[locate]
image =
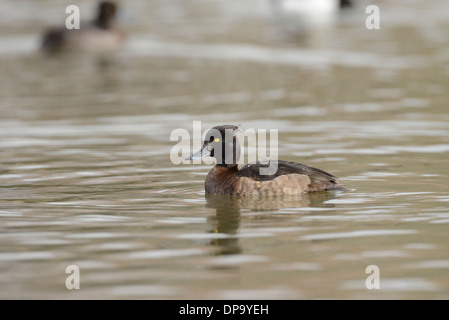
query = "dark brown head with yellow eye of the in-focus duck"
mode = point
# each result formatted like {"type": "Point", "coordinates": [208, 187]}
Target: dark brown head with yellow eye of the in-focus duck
{"type": "Point", "coordinates": [221, 143]}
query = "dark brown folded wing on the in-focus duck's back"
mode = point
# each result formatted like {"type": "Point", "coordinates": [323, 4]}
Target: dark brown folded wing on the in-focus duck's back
{"type": "Point", "coordinates": [280, 167]}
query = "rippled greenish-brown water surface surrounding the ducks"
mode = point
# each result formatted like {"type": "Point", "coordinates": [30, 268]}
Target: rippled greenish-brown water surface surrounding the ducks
{"type": "Point", "coordinates": [86, 177]}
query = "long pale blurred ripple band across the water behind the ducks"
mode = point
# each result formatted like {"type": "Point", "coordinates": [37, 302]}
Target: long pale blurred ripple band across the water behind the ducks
{"type": "Point", "coordinates": [301, 57]}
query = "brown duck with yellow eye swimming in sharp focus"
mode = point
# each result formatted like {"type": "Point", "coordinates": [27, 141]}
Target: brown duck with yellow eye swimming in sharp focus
{"type": "Point", "coordinates": [280, 178]}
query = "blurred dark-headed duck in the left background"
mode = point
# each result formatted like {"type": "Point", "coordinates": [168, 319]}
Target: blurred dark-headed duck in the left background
{"type": "Point", "coordinates": [100, 35]}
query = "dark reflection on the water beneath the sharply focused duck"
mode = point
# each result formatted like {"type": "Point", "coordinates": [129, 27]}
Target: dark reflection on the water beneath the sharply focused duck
{"type": "Point", "coordinates": [227, 219]}
